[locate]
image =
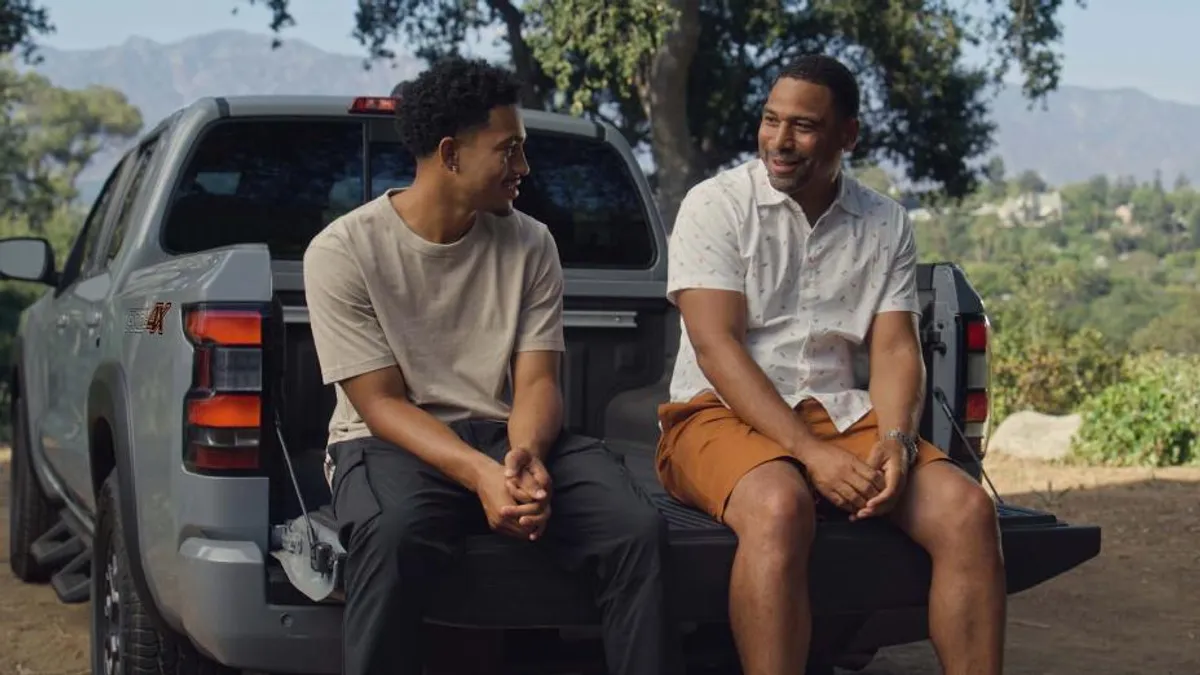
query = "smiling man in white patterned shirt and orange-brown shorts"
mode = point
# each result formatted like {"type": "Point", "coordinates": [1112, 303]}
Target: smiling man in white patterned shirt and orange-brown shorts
{"type": "Point", "coordinates": [782, 268]}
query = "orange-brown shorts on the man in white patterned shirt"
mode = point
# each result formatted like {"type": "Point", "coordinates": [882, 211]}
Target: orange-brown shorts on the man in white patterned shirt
{"type": "Point", "coordinates": [705, 449]}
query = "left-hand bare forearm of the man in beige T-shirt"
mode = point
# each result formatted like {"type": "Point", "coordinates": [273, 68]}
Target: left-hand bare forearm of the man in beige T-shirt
{"type": "Point", "coordinates": [428, 438]}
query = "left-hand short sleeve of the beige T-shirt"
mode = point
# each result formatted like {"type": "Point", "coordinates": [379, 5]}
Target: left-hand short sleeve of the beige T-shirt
{"type": "Point", "coordinates": [346, 332]}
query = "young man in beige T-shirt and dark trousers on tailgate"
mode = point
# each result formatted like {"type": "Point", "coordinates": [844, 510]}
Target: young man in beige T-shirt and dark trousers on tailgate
{"type": "Point", "coordinates": [423, 302]}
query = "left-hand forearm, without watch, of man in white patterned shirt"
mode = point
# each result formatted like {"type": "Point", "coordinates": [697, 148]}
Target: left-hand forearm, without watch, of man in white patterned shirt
{"type": "Point", "coordinates": [751, 395]}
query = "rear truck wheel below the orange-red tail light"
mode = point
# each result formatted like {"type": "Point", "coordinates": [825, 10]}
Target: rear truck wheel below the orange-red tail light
{"type": "Point", "coordinates": [125, 640]}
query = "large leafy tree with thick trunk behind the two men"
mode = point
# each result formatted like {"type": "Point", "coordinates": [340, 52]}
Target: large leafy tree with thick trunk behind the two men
{"type": "Point", "coordinates": [688, 77]}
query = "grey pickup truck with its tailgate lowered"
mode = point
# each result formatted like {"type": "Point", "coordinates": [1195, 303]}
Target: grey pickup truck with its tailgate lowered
{"type": "Point", "coordinates": [170, 417]}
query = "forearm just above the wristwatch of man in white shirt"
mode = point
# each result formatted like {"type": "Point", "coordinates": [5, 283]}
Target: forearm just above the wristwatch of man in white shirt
{"type": "Point", "coordinates": [898, 390]}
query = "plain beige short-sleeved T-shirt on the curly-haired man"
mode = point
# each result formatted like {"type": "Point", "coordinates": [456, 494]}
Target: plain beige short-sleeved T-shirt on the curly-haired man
{"type": "Point", "coordinates": [452, 316]}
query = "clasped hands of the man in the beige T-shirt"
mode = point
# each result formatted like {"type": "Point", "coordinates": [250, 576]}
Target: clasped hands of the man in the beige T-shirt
{"type": "Point", "coordinates": [517, 495]}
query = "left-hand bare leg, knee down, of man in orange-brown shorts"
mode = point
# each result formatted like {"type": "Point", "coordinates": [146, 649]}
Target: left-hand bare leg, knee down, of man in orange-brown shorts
{"type": "Point", "coordinates": [773, 516]}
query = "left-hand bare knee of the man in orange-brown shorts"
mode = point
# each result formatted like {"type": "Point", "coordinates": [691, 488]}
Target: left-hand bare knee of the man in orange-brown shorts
{"type": "Point", "coordinates": [775, 506]}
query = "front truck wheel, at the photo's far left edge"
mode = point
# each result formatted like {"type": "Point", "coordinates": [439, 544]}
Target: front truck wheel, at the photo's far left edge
{"type": "Point", "coordinates": [31, 513]}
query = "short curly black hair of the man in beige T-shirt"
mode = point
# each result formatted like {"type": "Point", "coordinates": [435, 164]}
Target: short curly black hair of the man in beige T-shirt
{"type": "Point", "coordinates": [453, 97]}
